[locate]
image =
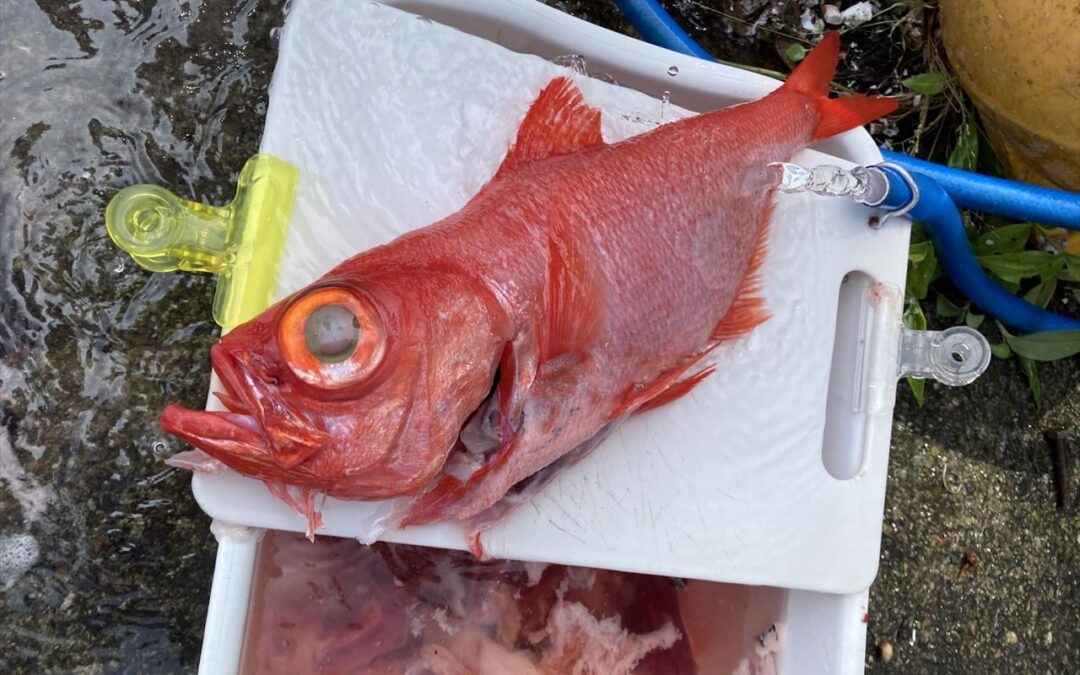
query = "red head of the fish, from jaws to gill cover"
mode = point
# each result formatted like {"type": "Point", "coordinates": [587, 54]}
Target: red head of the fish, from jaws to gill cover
{"type": "Point", "coordinates": [358, 386]}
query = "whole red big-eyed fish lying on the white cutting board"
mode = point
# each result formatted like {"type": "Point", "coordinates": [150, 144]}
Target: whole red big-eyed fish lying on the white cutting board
{"type": "Point", "coordinates": [468, 362]}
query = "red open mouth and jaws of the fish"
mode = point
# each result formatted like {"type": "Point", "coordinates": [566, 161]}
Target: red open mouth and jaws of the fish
{"type": "Point", "coordinates": [261, 431]}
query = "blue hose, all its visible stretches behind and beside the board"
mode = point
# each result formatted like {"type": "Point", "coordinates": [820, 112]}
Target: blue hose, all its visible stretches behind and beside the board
{"type": "Point", "coordinates": [937, 210]}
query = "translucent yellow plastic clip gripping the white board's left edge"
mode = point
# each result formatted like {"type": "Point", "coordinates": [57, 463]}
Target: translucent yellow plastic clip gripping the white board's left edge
{"type": "Point", "coordinates": [241, 242]}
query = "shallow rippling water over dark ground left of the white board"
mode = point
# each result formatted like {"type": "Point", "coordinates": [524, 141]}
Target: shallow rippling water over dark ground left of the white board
{"type": "Point", "coordinates": [96, 97]}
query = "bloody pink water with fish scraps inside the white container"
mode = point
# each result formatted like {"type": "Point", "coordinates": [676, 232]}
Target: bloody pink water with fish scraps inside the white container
{"type": "Point", "coordinates": [336, 606]}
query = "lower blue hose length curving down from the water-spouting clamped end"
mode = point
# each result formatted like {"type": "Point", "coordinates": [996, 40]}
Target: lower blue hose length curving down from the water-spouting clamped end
{"type": "Point", "coordinates": [938, 213]}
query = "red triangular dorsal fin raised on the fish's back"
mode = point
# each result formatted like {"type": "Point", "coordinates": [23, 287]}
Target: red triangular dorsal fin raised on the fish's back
{"type": "Point", "coordinates": [558, 123]}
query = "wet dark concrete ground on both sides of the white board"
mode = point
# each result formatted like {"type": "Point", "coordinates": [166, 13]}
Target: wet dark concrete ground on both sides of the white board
{"type": "Point", "coordinates": [99, 96]}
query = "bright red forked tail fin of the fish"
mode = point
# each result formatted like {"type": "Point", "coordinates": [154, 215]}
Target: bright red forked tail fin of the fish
{"type": "Point", "coordinates": [813, 77]}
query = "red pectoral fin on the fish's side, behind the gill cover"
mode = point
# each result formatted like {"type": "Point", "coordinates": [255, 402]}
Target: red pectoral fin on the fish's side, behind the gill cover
{"type": "Point", "coordinates": [574, 304]}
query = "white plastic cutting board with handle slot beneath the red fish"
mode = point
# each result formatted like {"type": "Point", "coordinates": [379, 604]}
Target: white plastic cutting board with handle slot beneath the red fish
{"type": "Point", "coordinates": [396, 121]}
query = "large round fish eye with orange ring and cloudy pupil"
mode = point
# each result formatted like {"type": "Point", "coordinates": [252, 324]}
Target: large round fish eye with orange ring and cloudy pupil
{"type": "Point", "coordinates": [332, 339]}
